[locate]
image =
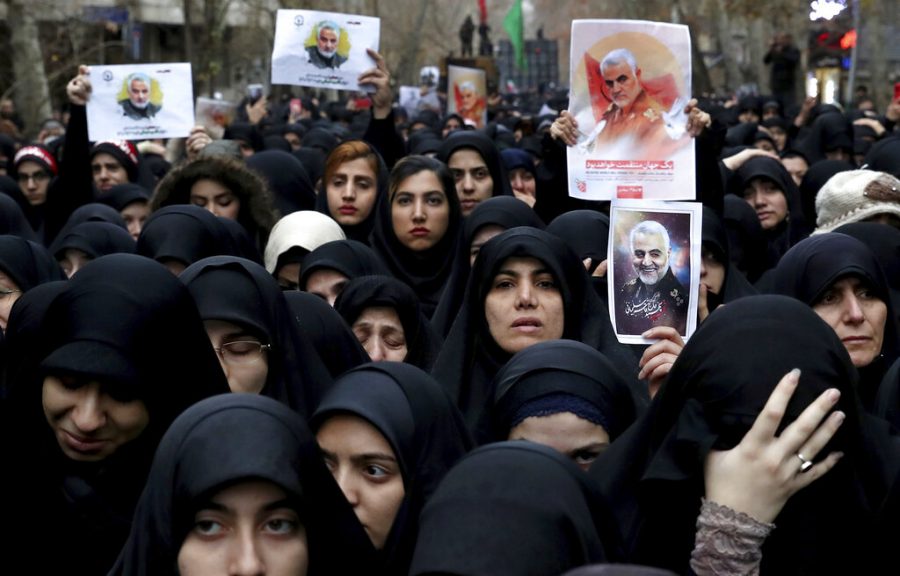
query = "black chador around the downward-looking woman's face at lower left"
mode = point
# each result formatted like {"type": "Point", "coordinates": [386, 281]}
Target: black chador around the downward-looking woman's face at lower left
{"type": "Point", "coordinates": [127, 323]}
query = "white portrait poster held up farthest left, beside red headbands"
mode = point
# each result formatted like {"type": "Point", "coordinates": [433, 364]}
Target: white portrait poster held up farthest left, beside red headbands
{"type": "Point", "coordinates": [140, 102]}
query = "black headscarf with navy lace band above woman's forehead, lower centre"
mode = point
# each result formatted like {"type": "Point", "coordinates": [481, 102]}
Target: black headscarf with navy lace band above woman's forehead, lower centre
{"type": "Point", "coordinates": [557, 367]}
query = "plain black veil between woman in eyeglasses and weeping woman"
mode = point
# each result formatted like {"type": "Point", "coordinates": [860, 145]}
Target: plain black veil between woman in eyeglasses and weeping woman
{"type": "Point", "coordinates": [326, 329]}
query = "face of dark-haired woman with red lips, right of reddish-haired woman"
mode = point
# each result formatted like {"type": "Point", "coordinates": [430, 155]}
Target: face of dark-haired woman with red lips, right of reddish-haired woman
{"type": "Point", "coordinates": [420, 213]}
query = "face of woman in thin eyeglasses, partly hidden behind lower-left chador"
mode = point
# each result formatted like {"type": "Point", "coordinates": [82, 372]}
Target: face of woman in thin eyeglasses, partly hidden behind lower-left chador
{"type": "Point", "coordinates": [241, 355]}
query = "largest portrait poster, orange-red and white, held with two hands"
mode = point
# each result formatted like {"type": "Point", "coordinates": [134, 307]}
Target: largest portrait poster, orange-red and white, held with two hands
{"type": "Point", "coordinates": [630, 81]}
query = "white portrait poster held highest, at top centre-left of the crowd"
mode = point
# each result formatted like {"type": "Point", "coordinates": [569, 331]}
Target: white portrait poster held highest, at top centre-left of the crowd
{"type": "Point", "coordinates": [323, 49]}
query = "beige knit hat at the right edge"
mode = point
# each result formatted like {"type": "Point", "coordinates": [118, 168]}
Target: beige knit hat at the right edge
{"type": "Point", "coordinates": [855, 196]}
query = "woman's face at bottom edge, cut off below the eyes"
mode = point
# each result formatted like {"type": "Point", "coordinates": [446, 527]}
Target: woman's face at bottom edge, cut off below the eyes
{"type": "Point", "coordinates": [246, 528]}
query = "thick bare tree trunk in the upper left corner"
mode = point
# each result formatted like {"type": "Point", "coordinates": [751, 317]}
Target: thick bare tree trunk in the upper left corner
{"type": "Point", "coordinates": [31, 95]}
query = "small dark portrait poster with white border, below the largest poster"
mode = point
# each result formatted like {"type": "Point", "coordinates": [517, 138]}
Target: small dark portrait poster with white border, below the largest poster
{"type": "Point", "coordinates": [654, 267]}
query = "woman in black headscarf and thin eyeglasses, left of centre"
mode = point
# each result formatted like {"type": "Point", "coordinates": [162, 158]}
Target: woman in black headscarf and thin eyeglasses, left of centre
{"type": "Point", "coordinates": [249, 324]}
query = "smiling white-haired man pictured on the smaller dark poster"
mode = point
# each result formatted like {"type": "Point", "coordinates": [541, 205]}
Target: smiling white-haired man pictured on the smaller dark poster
{"type": "Point", "coordinates": [655, 297]}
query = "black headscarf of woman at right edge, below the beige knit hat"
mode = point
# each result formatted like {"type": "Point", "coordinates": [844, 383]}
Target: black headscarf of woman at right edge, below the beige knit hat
{"type": "Point", "coordinates": [814, 265]}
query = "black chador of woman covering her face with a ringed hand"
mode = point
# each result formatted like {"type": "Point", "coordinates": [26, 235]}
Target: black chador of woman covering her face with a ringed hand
{"type": "Point", "coordinates": [717, 387]}
